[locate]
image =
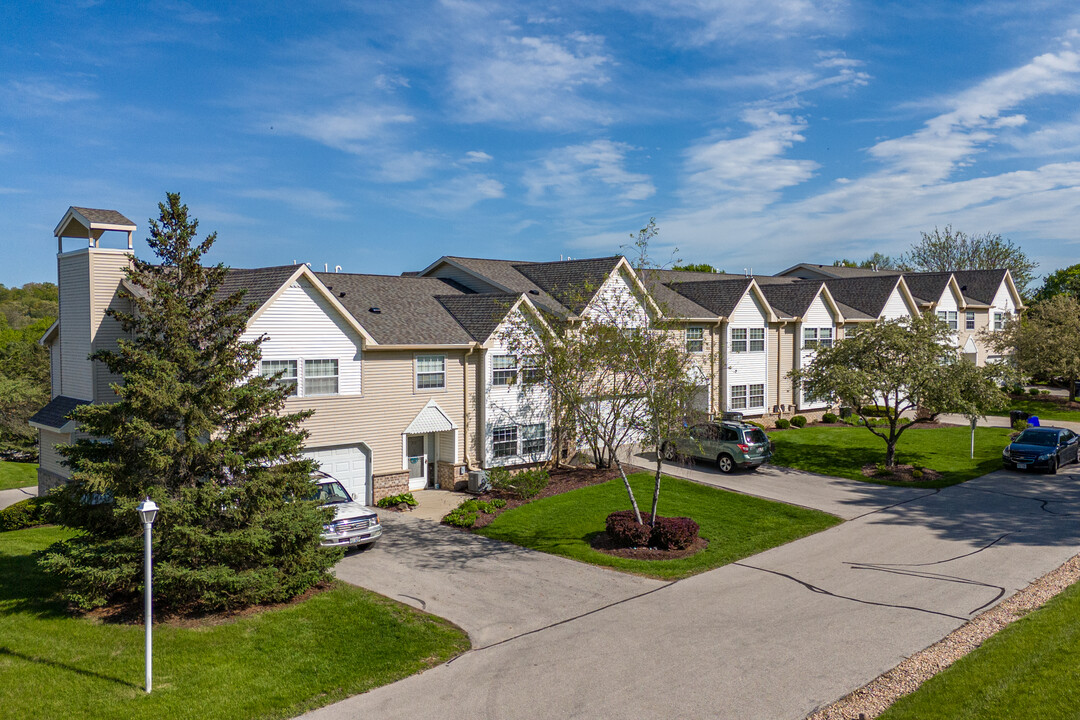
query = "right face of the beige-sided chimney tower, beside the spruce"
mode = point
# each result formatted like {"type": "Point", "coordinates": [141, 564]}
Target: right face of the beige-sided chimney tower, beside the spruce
{"type": "Point", "coordinates": [106, 273]}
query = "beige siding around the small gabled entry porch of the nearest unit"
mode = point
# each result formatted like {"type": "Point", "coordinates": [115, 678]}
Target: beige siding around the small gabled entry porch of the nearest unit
{"type": "Point", "coordinates": [388, 405]}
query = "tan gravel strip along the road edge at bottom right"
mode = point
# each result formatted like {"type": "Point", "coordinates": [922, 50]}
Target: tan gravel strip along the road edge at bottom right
{"type": "Point", "coordinates": [875, 698]}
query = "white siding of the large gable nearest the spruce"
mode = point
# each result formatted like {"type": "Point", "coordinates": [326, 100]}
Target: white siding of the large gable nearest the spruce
{"type": "Point", "coordinates": [302, 325]}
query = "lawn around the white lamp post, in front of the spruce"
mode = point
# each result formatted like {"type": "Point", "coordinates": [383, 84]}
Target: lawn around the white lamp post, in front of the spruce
{"type": "Point", "coordinates": [275, 664]}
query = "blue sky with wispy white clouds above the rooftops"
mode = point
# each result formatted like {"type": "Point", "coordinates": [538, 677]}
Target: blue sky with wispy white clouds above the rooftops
{"type": "Point", "coordinates": [382, 135]}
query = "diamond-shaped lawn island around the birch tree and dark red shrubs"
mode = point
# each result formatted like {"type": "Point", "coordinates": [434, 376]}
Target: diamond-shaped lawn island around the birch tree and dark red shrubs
{"type": "Point", "coordinates": [736, 526]}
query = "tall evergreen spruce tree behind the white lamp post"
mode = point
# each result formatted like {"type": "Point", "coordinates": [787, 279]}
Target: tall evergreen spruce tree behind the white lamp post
{"type": "Point", "coordinates": [204, 434]}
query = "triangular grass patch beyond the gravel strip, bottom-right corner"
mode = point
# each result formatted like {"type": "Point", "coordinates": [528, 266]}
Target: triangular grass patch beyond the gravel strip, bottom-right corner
{"type": "Point", "coordinates": [1030, 670]}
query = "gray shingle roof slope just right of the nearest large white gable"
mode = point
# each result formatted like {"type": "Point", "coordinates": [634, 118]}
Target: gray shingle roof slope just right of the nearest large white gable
{"type": "Point", "coordinates": [411, 311]}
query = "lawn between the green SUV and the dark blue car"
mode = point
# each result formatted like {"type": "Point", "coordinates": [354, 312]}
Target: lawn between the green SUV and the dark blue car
{"type": "Point", "coordinates": [843, 452]}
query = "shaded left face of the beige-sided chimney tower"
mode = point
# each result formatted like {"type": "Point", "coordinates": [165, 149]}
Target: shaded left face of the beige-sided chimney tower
{"type": "Point", "coordinates": [74, 278]}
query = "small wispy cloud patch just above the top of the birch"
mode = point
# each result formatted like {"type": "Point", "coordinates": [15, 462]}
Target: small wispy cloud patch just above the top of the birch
{"type": "Point", "coordinates": [593, 172]}
